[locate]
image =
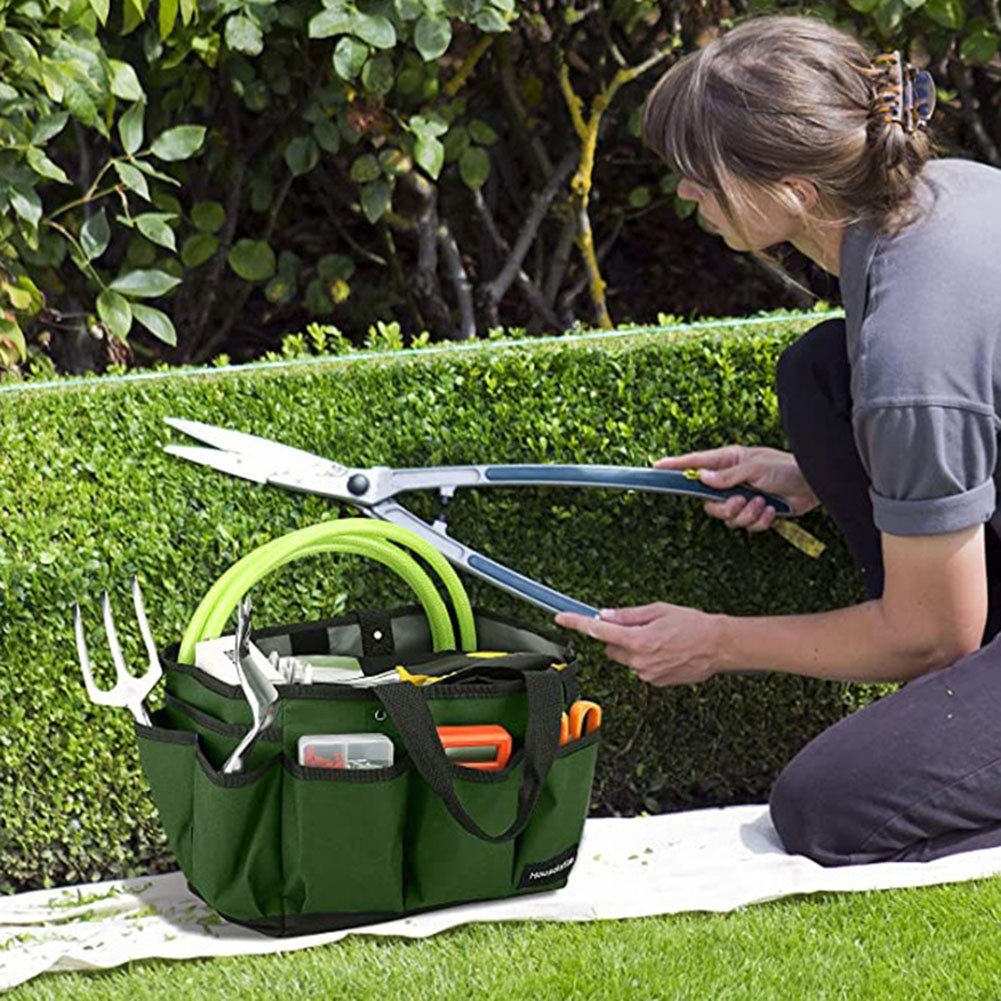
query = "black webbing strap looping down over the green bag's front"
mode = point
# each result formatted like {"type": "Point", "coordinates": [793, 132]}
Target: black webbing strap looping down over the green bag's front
{"type": "Point", "coordinates": [408, 708]}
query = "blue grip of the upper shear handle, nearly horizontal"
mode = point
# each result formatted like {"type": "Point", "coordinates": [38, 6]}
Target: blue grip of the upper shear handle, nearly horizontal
{"type": "Point", "coordinates": [667, 481]}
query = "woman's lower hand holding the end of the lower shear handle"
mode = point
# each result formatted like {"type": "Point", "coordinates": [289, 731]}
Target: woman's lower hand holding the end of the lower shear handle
{"type": "Point", "coordinates": [663, 644]}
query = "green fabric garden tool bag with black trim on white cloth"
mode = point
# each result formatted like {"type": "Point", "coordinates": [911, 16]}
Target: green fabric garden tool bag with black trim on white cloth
{"type": "Point", "coordinates": [289, 849]}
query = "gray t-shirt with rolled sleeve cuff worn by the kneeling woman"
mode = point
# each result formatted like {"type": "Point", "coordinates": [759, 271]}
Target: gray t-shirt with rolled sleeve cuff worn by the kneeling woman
{"type": "Point", "coordinates": [923, 319]}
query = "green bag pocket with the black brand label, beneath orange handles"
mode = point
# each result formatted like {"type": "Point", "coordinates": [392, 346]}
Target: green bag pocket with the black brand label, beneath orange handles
{"type": "Point", "coordinates": [547, 848]}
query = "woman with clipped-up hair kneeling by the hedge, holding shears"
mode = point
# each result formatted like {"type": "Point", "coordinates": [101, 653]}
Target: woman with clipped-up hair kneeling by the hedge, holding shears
{"type": "Point", "coordinates": [785, 131]}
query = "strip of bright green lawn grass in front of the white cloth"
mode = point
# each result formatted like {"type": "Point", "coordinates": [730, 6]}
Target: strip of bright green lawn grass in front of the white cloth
{"type": "Point", "coordinates": [927, 943]}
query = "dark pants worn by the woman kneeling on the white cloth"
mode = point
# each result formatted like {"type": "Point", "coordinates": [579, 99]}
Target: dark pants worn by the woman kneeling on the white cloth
{"type": "Point", "coordinates": [917, 774]}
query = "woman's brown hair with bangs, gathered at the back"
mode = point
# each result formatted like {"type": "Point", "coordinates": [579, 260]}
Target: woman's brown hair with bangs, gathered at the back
{"type": "Point", "coordinates": [781, 96]}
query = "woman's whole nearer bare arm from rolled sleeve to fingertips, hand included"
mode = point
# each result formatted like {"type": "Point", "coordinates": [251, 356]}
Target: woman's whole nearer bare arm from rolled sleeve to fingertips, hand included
{"type": "Point", "coordinates": [932, 613]}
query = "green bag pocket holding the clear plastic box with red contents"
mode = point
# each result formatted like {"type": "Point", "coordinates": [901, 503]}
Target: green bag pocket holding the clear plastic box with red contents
{"type": "Point", "coordinates": [344, 838]}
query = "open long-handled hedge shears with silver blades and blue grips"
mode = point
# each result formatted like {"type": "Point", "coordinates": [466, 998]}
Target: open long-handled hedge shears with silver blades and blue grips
{"type": "Point", "coordinates": [375, 491]}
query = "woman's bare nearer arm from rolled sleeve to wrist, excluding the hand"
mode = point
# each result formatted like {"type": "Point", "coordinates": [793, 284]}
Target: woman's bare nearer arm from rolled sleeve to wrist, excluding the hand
{"type": "Point", "coordinates": [932, 612]}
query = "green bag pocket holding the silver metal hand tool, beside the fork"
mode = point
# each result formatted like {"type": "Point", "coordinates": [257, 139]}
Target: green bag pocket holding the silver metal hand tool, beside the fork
{"type": "Point", "coordinates": [237, 856]}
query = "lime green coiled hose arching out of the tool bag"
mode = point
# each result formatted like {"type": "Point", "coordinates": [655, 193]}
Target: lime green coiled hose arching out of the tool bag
{"type": "Point", "coordinates": [357, 536]}
